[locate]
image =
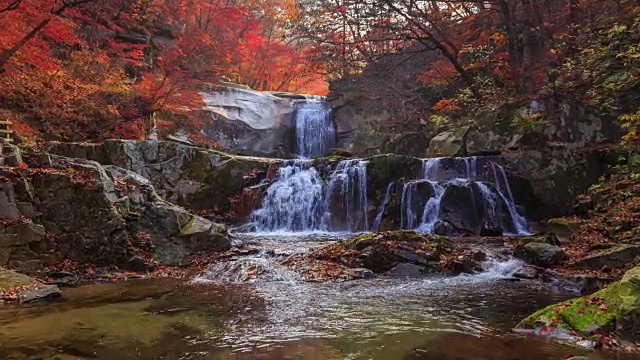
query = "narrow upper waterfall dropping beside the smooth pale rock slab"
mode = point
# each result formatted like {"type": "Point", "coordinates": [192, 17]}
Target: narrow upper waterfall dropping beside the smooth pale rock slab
{"type": "Point", "coordinates": [315, 131]}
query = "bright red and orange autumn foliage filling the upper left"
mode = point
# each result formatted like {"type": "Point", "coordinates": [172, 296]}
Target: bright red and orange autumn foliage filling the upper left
{"type": "Point", "coordinates": [103, 68]}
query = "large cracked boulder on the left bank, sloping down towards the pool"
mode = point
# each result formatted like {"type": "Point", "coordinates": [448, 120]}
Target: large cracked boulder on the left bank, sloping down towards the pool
{"type": "Point", "coordinates": [106, 216]}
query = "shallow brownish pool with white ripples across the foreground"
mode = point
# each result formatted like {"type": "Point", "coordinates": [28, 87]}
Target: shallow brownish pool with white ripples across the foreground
{"type": "Point", "coordinates": [223, 315]}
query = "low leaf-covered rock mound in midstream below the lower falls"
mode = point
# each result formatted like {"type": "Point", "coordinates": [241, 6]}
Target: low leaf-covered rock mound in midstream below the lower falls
{"type": "Point", "coordinates": [395, 253]}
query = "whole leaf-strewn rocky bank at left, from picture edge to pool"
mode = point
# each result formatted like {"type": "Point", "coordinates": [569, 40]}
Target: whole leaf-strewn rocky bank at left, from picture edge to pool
{"type": "Point", "coordinates": [64, 219]}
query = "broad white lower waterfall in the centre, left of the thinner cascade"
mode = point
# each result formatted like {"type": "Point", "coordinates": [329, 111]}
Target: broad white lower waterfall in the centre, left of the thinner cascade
{"type": "Point", "coordinates": [301, 200]}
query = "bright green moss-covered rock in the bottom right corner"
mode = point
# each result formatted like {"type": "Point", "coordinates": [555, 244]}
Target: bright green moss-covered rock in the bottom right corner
{"type": "Point", "coordinates": [616, 307]}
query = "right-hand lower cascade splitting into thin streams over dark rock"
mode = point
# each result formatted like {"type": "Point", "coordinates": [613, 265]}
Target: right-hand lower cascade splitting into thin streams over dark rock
{"type": "Point", "coordinates": [483, 182]}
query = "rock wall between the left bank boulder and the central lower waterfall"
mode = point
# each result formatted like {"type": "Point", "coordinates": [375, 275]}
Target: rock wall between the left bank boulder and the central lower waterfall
{"type": "Point", "coordinates": [188, 176]}
